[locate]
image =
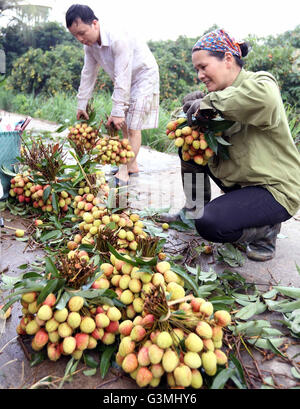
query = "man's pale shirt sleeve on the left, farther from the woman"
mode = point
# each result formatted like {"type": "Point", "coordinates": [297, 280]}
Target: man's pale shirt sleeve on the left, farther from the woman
{"type": "Point", "coordinates": [88, 79]}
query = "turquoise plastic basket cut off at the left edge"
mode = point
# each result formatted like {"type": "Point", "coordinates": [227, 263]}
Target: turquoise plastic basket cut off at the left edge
{"type": "Point", "coordinates": [10, 145]}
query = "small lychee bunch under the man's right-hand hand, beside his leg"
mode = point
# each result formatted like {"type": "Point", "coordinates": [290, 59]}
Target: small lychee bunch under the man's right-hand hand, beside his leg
{"type": "Point", "coordinates": [112, 151]}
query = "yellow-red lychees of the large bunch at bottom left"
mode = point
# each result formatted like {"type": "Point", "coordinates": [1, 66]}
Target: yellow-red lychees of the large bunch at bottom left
{"type": "Point", "coordinates": [70, 330]}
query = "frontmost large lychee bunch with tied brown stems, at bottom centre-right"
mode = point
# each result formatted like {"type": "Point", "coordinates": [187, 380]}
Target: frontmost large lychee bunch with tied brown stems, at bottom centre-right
{"type": "Point", "coordinates": [180, 343]}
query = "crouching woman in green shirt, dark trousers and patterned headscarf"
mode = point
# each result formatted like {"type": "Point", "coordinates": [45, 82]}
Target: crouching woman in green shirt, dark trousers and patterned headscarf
{"type": "Point", "coordinates": [261, 179]}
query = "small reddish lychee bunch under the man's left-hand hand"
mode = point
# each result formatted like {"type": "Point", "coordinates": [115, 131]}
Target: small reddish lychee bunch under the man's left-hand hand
{"type": "Point", "coordinates": [83, 135]}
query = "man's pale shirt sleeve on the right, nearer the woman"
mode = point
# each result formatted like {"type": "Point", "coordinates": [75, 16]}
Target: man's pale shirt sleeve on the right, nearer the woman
{"type": "Point", "coordinates": [123, 54]}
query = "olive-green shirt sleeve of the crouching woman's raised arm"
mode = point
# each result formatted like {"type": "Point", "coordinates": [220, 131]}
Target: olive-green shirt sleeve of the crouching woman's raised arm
{"type": "Point", "coordinates": [255, 102]}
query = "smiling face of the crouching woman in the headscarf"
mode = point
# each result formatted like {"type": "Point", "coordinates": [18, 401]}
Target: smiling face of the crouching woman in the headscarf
{"type": "Point", "coordinates": [214, 73]}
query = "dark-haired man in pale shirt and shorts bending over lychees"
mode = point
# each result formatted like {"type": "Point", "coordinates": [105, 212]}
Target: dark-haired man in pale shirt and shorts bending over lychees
{"type": "Point", "coordinates": [133, 70]}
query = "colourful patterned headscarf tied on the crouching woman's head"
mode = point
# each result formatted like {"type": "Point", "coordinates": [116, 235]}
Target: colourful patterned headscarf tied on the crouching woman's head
{"type": "Point", "coordinates": [218, 40]}
